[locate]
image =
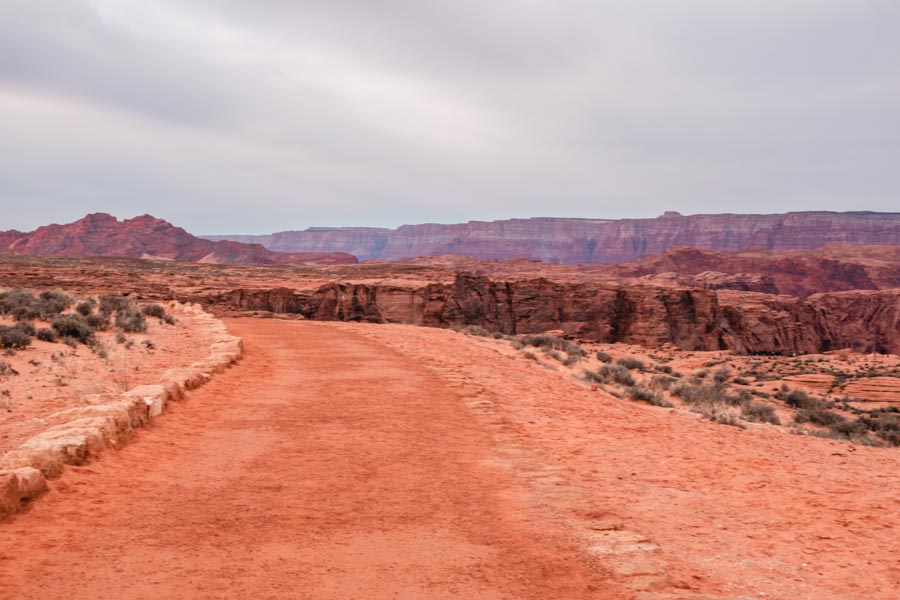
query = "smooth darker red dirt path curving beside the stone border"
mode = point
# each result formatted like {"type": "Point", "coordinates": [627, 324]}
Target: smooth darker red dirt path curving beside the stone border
{"type": "Point", "coordinates": [324, 466]}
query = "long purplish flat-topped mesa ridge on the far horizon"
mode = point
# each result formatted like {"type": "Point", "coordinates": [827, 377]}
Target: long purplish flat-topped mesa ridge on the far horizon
{"type": "Point", "coordinates": [575, 241]}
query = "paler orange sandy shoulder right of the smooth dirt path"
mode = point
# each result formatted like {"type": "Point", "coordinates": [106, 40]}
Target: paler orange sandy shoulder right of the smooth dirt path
{"type": "Point", "coordinates": [758, 513]}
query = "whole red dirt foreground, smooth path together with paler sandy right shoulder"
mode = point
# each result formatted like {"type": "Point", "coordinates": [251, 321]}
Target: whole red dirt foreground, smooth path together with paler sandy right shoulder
{"type": "Point", "coordinates": [373, 461]}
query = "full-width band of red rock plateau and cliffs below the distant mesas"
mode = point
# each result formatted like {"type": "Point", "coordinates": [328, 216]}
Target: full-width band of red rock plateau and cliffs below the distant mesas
{"type": "Point", "coordinates": [747, 312]}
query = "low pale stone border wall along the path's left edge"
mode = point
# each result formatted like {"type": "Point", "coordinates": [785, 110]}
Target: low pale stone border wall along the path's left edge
{"type": "Point", "coordinates": [108, 420]}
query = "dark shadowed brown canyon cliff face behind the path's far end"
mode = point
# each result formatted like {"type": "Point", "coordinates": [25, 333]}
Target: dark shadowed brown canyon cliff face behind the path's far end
{"type": "Point", "coordinates": [634, 313]}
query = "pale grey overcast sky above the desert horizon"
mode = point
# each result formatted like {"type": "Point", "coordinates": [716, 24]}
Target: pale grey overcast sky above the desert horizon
{"type": "Point", "coordinates": [251, 116]}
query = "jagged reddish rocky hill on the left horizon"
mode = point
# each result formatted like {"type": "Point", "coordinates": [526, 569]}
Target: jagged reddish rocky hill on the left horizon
{"type": "Point", "coordinates": [147, 237]}
